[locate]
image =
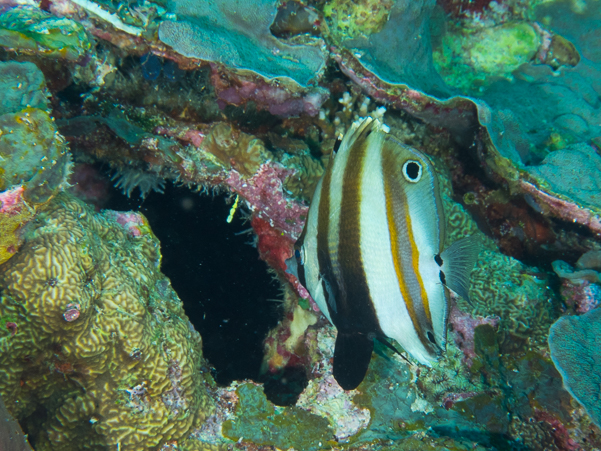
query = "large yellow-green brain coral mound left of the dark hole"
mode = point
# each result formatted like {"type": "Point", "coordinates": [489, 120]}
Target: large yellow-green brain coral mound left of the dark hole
{"type": "Point", "coordinates": [99, 353]}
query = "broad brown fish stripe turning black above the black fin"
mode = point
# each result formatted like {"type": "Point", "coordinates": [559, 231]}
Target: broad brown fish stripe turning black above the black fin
{"type": "Point", "coordinates": [356, 311]}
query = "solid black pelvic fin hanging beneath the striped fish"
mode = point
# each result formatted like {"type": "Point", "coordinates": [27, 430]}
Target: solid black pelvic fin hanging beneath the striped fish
{"type": "Point", "coordinates": [351, 358]}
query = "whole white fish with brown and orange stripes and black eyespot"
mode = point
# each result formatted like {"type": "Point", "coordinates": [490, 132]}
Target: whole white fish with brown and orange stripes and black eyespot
{"type": "Point", "coordinates": [371, 253]}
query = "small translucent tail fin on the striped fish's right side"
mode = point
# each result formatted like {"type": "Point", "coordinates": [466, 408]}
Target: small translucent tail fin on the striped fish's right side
{"type": "Point", "coordinates": [457, 262]}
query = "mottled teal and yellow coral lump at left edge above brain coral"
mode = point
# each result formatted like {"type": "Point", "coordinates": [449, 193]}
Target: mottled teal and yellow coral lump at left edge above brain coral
{"type": "Point", "coordinates": [34, 161]}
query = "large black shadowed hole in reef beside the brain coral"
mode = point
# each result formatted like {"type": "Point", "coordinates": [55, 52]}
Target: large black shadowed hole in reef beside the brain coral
{"type": "Point", "coordinates": [224, 286]}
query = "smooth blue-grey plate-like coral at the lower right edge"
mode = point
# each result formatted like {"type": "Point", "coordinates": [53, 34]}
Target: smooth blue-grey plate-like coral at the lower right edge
{"type": "Point", "coordinates": [574, 344]}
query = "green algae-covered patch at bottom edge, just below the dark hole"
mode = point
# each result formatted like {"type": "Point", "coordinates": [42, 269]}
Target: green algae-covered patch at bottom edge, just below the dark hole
{"type": "Point", "coordinates": [262, 423]}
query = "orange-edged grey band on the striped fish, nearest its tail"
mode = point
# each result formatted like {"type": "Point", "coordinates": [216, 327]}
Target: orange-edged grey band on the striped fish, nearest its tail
{"type": "Point", "coordinates": [405, 256]}
